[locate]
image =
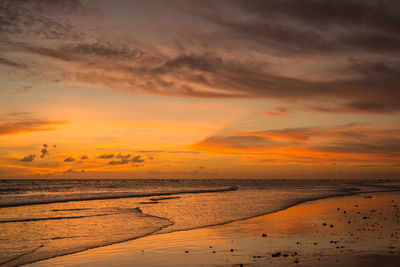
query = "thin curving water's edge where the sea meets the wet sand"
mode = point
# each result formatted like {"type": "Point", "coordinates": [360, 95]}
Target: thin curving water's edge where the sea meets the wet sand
{"type": "Point", "coordinates": [306, 202]}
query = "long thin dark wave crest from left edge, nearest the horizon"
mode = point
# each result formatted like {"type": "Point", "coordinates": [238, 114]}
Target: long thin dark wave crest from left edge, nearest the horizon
{"type": "Point", "coordinates": [136, 195]}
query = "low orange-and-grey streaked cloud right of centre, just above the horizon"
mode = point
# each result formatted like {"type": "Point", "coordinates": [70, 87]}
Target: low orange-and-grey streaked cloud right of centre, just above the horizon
{"type": "Point", "coordinates": [349, 144]}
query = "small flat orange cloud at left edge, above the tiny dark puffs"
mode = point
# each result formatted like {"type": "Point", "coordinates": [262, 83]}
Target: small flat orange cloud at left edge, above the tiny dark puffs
{"type": "Point", "coordinates": [8, 127]}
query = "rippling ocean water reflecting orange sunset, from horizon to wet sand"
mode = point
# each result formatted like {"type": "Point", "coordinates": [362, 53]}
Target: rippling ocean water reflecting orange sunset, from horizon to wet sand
{"type": "Point", "coordinates": [40, 219]}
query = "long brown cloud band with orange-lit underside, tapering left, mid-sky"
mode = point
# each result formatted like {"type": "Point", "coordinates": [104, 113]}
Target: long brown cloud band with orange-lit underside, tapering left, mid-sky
{"type": "Point", "coordinates": [230, 79]}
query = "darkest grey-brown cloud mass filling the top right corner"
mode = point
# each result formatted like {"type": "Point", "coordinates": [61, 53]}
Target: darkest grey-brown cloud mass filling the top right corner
{"type": "Point", "coordinates": [311, 25]}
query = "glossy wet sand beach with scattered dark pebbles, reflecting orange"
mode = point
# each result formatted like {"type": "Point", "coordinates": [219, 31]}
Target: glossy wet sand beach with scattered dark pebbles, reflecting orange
{"type": "Point", "coordinates": [359, 230]}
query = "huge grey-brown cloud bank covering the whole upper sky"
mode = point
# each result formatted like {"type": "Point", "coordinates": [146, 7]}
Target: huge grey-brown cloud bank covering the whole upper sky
{"type": "Point", "coordinates": [343, 53]}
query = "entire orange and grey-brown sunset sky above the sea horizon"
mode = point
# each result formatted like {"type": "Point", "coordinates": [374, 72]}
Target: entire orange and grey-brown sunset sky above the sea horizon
{"type": "Point", "coordinates": [200, 89]}
